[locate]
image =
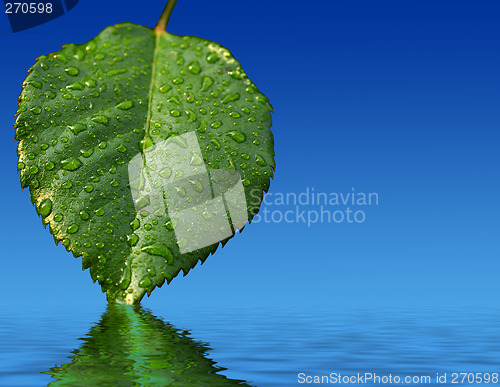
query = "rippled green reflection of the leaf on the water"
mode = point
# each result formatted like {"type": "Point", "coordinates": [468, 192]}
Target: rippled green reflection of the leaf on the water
{"type": "Point", "coordinates": [131, 347]}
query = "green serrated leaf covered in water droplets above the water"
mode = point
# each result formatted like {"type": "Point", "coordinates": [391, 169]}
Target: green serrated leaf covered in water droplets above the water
{"type": "Point", "coordinates": [107, 129]}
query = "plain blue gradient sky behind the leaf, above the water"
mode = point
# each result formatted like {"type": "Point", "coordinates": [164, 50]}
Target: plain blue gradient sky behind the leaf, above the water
{"type": "Point", "coordinates": [400, 98]}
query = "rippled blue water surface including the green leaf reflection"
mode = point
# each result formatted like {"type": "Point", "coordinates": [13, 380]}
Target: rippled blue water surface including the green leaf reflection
{"type": "Point", "coordinates": [237, 346]}
